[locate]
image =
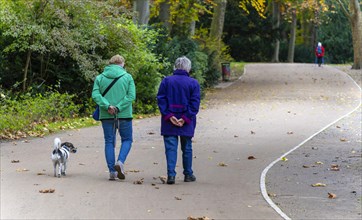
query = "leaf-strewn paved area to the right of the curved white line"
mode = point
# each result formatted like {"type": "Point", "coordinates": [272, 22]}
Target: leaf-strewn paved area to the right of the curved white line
{"type": "Point", "coordinates": [331, 156]}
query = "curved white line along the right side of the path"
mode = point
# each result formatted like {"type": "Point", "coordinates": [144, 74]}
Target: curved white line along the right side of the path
{"type": "Point", "coordinates": [263, 174]}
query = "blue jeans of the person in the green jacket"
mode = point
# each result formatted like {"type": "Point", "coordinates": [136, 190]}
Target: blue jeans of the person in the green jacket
{"type": "Point", "coordinates": [110, 127]}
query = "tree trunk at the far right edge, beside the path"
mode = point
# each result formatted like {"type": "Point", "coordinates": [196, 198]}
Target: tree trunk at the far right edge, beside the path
{"type": "Point", "coordinates": [356, 21]}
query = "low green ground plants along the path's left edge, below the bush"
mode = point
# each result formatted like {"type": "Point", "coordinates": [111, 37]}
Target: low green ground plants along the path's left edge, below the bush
{"type": "Point", "coordinates": [21, 112]}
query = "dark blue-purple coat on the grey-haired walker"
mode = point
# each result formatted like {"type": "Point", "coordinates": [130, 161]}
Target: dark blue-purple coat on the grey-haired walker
{"type": "Point", "coordinates": [179, 96]}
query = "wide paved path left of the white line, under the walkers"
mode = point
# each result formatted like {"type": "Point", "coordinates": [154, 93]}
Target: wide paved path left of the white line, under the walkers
{"type": "Point", "coordinates": [268, 111]}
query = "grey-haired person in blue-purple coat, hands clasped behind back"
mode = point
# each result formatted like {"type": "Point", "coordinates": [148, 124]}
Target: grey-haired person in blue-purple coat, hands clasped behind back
{"type": "Point", "coordinates": [178, 99]}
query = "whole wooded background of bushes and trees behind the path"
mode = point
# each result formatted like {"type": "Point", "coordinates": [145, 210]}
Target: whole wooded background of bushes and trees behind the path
{"type": "Point", "coordinates": [61, 45]}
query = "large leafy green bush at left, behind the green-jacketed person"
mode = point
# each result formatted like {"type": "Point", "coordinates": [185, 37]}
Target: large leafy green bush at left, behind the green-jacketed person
{"type": "Point", "coordinates": [70, 42]}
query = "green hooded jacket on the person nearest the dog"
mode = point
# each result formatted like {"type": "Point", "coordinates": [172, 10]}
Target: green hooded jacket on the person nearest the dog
{"type": "Point", "coordinates": [121, 95]}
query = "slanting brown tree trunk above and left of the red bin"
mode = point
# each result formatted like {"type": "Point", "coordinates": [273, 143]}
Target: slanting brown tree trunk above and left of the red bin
{"type": "Point", "coordinates": [217, 23]}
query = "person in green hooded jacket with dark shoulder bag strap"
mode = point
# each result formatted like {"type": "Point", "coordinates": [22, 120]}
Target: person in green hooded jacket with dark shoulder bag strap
{"type": "Point", "coordinates": [115, 112]}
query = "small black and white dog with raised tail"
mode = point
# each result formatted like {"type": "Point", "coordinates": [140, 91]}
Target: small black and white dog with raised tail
{"type": "Point", "coordinates": [60, 156]}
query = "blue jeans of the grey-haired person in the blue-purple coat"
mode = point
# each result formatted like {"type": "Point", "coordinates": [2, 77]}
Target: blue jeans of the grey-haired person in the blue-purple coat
{"type": "Point", "coordinates": [171, 143]}
